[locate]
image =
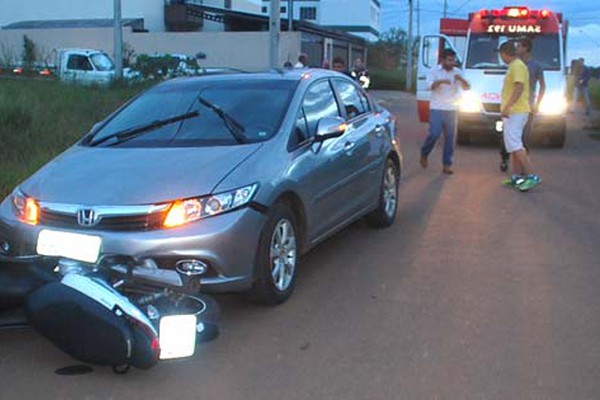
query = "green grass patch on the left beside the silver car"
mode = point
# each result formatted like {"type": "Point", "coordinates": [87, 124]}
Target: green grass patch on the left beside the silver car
{"type": "Point", "coordinates": [39, 120]}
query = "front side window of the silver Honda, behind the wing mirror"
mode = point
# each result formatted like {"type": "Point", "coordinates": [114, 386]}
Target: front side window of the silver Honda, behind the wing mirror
{"type": "Point", "coordinates": [319, 102]}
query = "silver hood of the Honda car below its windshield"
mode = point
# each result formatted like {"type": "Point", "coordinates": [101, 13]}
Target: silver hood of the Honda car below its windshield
{"type": "Point", "coordinates": [130, 176]}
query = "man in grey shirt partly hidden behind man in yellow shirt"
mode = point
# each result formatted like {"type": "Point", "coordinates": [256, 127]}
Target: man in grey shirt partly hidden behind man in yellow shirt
{"type": "Point", "coordinates": [536, 75]}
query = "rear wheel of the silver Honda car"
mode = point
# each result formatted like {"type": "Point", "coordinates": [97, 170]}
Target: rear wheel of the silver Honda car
{"type": "Point", "coordinates": [385, 214]}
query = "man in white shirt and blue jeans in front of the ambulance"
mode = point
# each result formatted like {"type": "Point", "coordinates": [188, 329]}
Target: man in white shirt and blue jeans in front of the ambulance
{"type": "Point", "coordinates": [444, 82]}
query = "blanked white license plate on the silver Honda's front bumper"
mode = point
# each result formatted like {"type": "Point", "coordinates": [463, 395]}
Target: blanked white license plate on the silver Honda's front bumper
{"type": "Point", "coordinates": [75, 246]}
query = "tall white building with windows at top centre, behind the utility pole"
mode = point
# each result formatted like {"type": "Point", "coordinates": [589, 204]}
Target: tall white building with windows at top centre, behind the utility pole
{"type": "Point", "coordinates": [358, 17]}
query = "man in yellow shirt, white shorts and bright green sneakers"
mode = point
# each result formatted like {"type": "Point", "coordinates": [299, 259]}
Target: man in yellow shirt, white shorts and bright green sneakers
{"type": "Point", "coordinates": [515, 110]}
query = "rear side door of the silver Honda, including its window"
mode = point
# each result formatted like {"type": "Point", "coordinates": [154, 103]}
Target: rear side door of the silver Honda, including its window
{"type": "Point", "coordinates": [363, 145]}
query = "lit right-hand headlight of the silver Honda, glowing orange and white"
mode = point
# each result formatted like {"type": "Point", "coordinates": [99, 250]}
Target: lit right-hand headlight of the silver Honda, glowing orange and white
{"type": "Point", "coordinates": [182, 212]}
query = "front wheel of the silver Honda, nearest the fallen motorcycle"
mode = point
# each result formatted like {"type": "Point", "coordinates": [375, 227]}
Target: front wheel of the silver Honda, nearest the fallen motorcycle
{"type": "Point", "coordinates": [277, 258]}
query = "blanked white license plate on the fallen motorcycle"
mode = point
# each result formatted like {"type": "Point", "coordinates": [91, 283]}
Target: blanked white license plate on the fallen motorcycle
{"type": "Point", "coordinates": [177, 336]}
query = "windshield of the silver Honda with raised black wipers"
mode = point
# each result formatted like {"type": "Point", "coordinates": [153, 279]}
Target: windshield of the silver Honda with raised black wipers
{"type": "Point", "coordinates": [258, 106]}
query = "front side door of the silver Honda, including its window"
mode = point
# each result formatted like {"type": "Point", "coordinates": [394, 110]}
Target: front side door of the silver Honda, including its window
{"type": "Point", "coordinates": [322, 170]}
